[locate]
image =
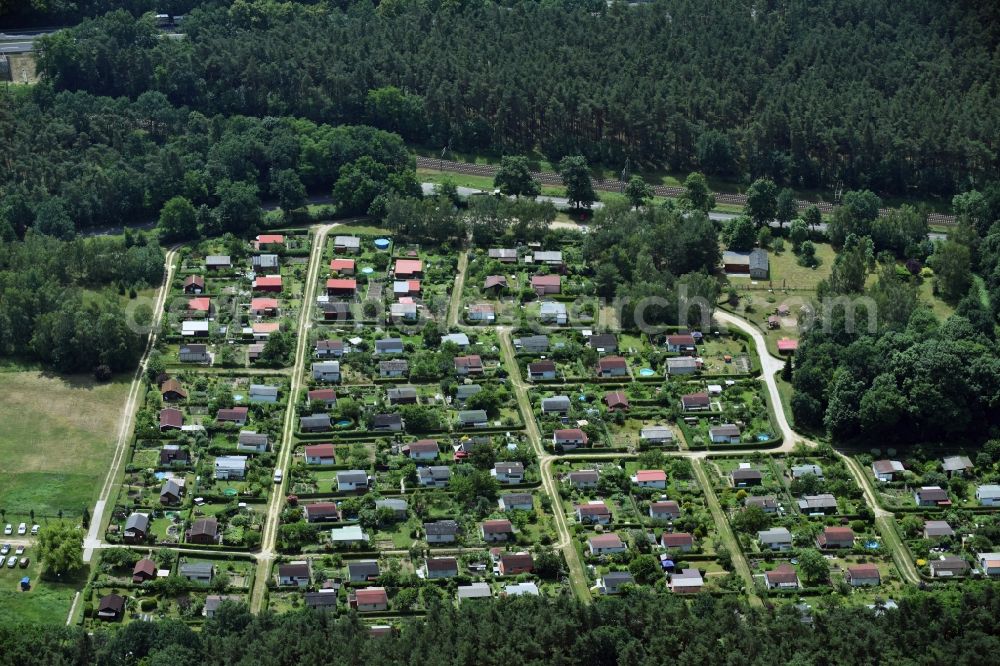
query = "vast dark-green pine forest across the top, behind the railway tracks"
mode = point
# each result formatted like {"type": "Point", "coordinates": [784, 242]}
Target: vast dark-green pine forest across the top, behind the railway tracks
{"type": "Point", "coordinates": [812, 95]}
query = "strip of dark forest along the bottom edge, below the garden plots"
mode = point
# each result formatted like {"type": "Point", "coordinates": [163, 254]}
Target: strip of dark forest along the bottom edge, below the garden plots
{"type": "Point", "coordinates": [955, 626]}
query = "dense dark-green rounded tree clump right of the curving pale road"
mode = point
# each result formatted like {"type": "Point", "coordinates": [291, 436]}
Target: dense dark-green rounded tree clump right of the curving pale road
{"type": "Point", "coordinates": [907, 380]}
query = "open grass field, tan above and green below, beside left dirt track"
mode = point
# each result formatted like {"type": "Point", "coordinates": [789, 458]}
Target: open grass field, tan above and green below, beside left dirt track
{"type": "Point", "coordinates": [57, 435]}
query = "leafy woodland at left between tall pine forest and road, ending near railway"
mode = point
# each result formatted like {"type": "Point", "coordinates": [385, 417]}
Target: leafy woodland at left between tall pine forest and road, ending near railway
{"type": "Point", "coordinates": [75, 161]}
